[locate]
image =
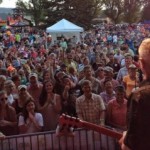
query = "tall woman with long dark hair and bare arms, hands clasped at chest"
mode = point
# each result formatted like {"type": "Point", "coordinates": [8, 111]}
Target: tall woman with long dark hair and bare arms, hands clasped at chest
{"type": "Point", "coordinates": [50, 106]}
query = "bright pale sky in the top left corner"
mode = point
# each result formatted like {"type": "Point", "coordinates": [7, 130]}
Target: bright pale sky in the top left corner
{"type": "Point", "coordinates": [9, 3]}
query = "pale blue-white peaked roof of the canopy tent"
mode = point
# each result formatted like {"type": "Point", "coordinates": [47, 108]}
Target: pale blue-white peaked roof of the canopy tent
{"type": "Point", "coordinates": [64, 26]}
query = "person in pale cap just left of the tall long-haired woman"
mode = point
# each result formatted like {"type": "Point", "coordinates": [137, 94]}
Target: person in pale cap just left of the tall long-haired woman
{"type": "Point", "coordinates": [34, 87]}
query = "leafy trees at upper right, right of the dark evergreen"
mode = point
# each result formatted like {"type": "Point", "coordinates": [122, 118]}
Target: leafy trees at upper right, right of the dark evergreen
{"type": "Point", "coordinates": [123, 10]}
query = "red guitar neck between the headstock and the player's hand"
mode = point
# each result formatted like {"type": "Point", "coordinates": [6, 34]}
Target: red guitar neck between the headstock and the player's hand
{"type": "Point", "coordinates": [102, 130]}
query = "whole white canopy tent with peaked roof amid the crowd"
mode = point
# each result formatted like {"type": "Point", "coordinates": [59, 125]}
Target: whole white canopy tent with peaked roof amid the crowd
{"type": "Point", "coordinates": [65, 28]}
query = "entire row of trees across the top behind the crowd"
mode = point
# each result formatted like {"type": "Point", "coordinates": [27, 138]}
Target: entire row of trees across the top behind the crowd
{"type": "Point", "coordinates": [82, 12]}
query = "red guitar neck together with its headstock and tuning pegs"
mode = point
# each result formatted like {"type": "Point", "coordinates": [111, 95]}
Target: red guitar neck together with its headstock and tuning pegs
{"type": "Point", "coordinates": [69, 121]}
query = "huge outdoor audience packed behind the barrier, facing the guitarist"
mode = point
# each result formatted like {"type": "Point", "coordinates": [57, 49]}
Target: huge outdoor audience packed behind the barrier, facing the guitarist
{"type": "Point", "coordinates": [92, 79]}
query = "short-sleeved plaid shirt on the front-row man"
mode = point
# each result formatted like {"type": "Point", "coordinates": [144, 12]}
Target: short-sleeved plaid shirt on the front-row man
{"type": "Point", "coordinates": [90, 109]}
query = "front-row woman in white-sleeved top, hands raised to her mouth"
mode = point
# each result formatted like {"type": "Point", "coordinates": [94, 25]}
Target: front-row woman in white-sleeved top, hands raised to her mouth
{"type": "Point", "coordinates": [31, 121]}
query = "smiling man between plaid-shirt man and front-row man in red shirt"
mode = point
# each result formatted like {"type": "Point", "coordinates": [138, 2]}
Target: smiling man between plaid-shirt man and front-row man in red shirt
{"type": "Point", "coordinates": [108, 93]}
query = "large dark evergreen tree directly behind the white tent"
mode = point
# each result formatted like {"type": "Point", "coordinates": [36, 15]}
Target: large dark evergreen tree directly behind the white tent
{"type": "Point", "coordinates": [77, 11]}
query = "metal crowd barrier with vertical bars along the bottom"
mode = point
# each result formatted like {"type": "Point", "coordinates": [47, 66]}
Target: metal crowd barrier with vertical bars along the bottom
{"type": "Point", "coordinates": [82, 140]}
